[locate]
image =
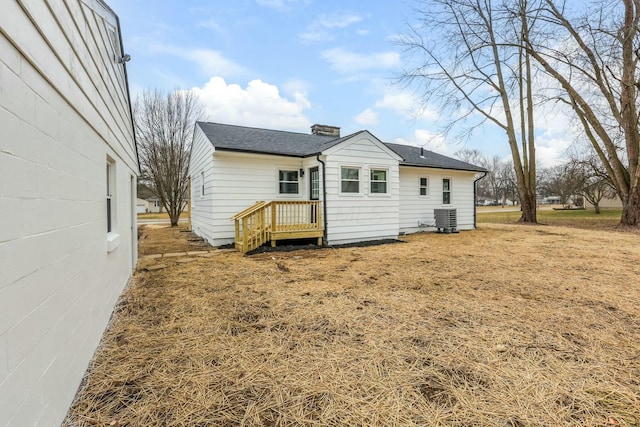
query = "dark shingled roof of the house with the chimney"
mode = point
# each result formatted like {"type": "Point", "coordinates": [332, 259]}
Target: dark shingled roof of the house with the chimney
{"type": "Point", "coordinates": [294, 144]}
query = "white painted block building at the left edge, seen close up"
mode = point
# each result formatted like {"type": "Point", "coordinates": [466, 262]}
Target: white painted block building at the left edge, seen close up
{"type": "Point", "coordinates": [68, 168]}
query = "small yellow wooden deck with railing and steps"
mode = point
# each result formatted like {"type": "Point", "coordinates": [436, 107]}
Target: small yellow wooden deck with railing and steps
{"type": "Point", "coordinates": [277, 220]}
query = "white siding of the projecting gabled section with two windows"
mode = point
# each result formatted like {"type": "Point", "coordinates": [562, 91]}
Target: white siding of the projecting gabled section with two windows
{"type": "Point", "coordinates": [364, 216]}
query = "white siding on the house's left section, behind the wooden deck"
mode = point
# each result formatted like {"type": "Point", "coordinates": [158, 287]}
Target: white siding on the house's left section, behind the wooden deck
{"type": "Point", "coordinates": [233, 182]}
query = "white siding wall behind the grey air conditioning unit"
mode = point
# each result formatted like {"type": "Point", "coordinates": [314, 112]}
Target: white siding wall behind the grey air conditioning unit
{"type": "Point", "coordinates": [415, 208]}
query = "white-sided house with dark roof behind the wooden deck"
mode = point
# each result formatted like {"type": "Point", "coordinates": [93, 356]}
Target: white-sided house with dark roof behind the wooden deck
{"type": "Point", "coordinates": [367, 189]}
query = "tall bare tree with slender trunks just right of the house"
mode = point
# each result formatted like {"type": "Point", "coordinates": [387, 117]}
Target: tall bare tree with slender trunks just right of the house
{"type": "Point", "coordinates": [478, 65]}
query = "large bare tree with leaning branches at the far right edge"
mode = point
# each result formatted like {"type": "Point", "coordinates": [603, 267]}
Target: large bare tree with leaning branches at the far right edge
{"type": "Point", "coordinates": [594, 59]}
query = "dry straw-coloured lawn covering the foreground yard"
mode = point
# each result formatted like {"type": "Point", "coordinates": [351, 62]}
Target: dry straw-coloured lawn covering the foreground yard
{"type": "Point", "coordinates": [503, 326]}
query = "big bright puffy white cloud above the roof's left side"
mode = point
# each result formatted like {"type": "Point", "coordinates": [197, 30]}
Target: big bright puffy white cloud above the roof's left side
{"type": "Point", "coordinates": [259, 104]}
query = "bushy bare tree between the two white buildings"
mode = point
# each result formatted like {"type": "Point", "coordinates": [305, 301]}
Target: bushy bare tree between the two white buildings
{"type": "Point", "coordinates": [164, 124]}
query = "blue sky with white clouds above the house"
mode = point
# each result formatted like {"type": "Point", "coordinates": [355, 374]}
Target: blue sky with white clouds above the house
{"type": "Point", "coordinates": [287, 64]}
